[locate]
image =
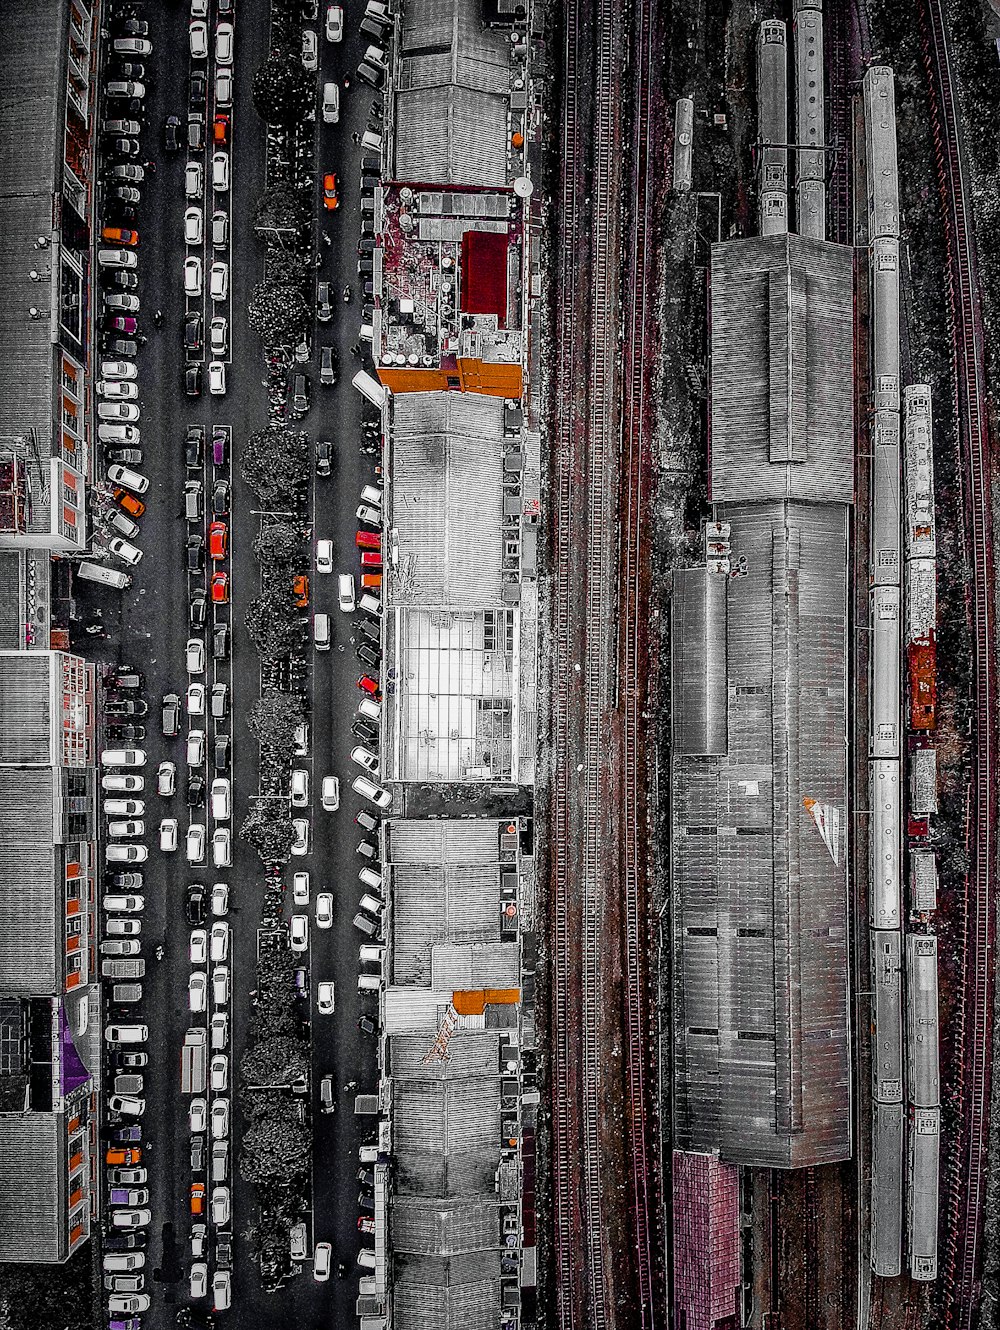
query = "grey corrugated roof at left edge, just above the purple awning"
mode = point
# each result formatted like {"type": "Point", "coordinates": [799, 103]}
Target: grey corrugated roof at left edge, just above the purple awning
{"type": "Point", "coordinates": [31, 877]}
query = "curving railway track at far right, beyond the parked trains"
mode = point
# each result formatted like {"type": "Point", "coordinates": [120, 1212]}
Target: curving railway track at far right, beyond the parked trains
{"type": "Point", "coordinates": [967, 1183]}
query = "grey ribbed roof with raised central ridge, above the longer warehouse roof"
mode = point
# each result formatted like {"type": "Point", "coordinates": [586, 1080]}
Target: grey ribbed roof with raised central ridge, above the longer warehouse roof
{"type": "Point", "coordinates": [783, 370]}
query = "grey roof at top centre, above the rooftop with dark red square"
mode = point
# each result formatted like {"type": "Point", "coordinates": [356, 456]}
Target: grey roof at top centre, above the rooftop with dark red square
{"type": "Point", "coordinates": [453, 96]}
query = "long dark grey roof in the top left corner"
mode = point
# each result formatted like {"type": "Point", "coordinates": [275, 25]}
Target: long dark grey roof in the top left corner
{"type": "Point", "coordinates": [33, 55]}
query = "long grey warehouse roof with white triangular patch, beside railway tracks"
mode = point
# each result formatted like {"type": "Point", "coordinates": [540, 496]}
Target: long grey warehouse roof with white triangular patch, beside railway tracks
{"type": "Point", "coordinates": [760, 851]}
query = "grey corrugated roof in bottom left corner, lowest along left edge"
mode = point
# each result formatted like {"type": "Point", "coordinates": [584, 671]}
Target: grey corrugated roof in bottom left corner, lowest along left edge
{"type": "Point", "coordinates": [33, 1187]}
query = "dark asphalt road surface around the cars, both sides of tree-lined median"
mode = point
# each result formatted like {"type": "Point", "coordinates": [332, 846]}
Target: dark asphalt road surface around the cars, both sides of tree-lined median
{"type": "Point", "coordinates": [150, 630]}
